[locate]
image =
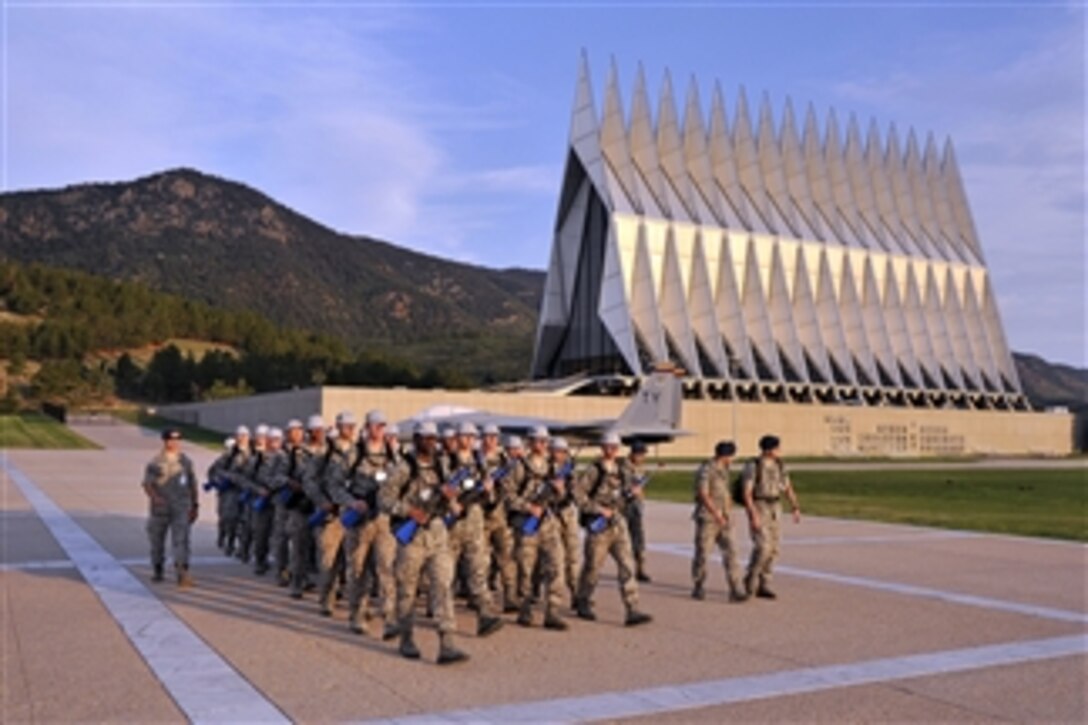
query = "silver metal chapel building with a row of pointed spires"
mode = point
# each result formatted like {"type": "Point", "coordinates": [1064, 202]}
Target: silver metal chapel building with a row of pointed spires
{"type": "Point", "coordinates": [812, 257]}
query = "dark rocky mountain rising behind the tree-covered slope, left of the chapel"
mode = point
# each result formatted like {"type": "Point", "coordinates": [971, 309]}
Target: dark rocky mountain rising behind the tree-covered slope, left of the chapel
{"type": "Point", "coordinates": [225, 243]}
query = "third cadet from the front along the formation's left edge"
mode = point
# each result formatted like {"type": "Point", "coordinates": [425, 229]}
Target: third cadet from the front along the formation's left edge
{"type": "Point", "coordinates": [329, 532]}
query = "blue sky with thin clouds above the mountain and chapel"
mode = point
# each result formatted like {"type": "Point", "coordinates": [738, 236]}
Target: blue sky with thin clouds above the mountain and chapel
{"type": "Point", "coordinates": [442, 127]}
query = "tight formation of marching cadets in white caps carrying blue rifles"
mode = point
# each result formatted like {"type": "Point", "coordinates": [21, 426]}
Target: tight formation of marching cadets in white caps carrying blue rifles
{"type": "Point", "coordinates": [510, 524]}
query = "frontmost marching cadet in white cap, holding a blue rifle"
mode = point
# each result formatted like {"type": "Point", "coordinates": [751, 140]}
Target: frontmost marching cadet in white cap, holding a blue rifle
{"type": "Point", "coordinates": [423, 543]}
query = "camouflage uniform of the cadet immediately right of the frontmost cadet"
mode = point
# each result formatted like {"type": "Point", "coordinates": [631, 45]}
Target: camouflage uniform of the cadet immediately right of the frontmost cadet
{"type": "Point", "coordinates": [467, 539]}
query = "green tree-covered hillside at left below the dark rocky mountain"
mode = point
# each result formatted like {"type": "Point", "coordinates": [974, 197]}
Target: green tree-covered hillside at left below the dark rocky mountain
{"type": "Point", "coordinates": [71, 338]}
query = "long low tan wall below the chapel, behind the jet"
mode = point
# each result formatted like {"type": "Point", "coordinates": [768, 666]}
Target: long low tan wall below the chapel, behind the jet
{"type": "Point", "coordinates": [817, 431]}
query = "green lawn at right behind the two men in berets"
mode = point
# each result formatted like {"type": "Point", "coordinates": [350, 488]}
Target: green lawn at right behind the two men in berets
{"type": "Point", "coordinates": [1035, 503]}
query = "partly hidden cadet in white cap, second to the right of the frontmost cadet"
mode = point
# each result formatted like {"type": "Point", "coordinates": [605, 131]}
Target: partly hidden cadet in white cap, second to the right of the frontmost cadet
{"type": "Point", "coordinates": [498, 464]}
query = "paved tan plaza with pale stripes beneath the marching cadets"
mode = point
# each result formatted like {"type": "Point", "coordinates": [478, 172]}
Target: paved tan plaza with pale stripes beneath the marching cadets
{"type": "Point", "coordinates": [874, 623]}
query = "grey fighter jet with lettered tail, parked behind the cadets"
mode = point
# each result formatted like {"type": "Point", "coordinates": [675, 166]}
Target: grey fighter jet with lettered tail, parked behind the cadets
{"type": "Point", "coordinates": [653, 416]}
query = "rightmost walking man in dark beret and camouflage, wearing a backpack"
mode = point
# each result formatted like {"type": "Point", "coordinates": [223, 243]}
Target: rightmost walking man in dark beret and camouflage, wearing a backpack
{"type": "Point", "coordinates": [764, 483]}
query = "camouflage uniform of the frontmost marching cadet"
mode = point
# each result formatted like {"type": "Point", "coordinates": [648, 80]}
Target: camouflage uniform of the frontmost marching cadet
{"type": "Point", "coordinates": [428, 549]}
